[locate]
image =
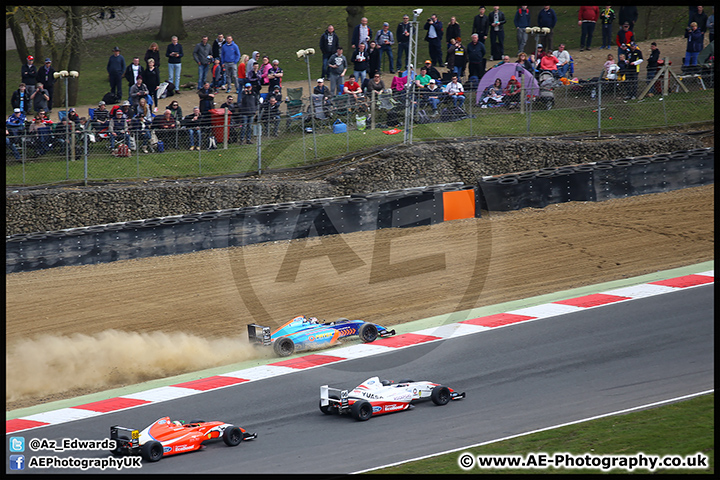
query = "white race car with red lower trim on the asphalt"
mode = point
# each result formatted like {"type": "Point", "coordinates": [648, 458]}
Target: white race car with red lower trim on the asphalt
{"type": "Point", "coordinates": [376, 397]}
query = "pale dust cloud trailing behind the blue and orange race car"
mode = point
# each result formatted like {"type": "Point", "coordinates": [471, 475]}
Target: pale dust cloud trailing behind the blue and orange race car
{"type": "Point", "coordinates": [49, 365]}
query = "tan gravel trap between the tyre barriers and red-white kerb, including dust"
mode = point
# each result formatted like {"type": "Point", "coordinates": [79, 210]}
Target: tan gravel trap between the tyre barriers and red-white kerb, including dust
{"type": "Point", "coordinates": [77, 330]}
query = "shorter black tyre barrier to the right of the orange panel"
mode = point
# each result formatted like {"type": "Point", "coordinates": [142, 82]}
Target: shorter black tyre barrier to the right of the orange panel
{"type": "Point", "coordinates": [595, 182]}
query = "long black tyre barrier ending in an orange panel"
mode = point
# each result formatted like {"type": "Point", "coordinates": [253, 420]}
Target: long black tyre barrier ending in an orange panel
{"type": "Point", "coordinates": [240, 226]}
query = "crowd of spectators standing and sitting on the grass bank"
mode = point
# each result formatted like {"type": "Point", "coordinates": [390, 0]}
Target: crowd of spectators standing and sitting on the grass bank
{"type": "Point", "coordinates": [257, 80]}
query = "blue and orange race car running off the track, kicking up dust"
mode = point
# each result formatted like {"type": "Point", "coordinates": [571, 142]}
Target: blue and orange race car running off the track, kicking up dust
{"type": "Point", "coordinates": [304, 333]}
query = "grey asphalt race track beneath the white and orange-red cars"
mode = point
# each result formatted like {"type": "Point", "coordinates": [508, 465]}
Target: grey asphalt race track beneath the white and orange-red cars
{"type": "Point", "coordinates": [518, 378]}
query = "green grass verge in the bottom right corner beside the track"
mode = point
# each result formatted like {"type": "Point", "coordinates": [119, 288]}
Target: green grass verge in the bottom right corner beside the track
{"type": "Point", "coordinates": [682, 429]}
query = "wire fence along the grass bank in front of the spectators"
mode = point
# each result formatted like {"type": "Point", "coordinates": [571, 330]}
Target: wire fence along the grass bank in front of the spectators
{"type": "Point", "coordinates": [306, 130]}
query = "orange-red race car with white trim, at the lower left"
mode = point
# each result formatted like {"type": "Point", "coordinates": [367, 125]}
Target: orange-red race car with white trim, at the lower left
{"type": "Point", "coordinates": [166, 437]}
